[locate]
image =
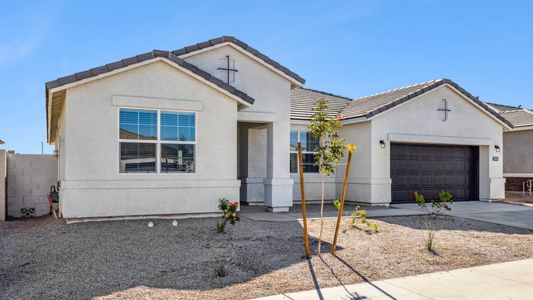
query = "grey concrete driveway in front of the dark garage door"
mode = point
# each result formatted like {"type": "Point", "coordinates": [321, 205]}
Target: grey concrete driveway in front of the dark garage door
{"type": "Point", "coordinates": [500, 213]}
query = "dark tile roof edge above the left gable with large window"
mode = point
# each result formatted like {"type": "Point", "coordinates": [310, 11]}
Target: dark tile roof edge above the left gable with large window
{"type": "Point", "coordinates": [138, 59]}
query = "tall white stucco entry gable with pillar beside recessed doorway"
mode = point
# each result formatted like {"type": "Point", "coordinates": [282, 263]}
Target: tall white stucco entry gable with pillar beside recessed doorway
{"type": "Point", "coordinates": [271, 92]}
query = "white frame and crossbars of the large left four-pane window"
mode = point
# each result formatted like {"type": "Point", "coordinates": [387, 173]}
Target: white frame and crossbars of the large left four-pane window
{"type": "Point", "coordinates": [158, 141]}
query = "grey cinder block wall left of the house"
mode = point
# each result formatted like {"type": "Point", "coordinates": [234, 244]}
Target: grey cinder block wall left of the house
{"type": "Point", "coordinates": [29, 178]}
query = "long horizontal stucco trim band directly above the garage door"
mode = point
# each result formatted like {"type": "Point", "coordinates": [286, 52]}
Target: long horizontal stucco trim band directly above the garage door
{"type": "Point", "coordinates": [438, 139]}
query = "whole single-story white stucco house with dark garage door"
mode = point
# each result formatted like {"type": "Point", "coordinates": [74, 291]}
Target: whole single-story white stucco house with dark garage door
{"type": "Point", "coordinates": [171, 132]}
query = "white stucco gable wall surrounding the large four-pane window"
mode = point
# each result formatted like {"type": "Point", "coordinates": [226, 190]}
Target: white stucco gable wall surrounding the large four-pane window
{"type": "Point", "coordinates": [91, 183]}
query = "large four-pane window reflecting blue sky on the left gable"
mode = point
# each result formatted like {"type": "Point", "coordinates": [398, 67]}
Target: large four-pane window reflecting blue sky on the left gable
{"type": "Point", "coordinates": [156, 141]}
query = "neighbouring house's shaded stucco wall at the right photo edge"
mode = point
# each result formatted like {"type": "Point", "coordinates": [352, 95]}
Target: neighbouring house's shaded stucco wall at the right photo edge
{"type": "Point", "coordinates": [518, 154]}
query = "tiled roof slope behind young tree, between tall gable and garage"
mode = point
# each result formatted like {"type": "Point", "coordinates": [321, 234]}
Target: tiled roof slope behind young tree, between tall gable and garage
{"type": "Point", "coordinates": [303, 100]}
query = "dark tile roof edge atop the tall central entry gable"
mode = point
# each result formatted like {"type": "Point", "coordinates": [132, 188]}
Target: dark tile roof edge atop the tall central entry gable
{"type": "Point", "coordinates": [244, 46]}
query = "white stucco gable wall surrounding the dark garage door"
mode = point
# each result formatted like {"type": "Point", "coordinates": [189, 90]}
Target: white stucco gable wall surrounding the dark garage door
{"type": "Point", "coordinates": [419, 121]}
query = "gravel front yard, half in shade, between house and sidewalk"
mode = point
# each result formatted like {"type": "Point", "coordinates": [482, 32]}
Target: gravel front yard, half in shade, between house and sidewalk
{"type": "Point", "coordinates": [45, 258]}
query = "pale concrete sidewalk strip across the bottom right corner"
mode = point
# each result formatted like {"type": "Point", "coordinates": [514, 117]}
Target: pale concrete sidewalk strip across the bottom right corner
{"type": "Point", "coordinates": [510, 280]}
